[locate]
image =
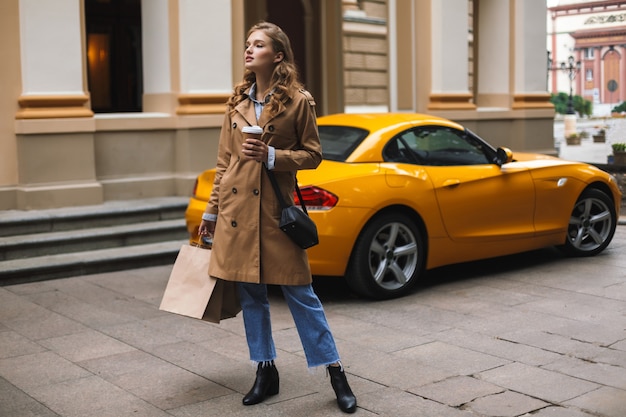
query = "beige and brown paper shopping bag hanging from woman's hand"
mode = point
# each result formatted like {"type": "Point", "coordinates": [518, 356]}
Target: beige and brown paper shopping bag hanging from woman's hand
{"type": "Point", "coordinates": [193, 293]}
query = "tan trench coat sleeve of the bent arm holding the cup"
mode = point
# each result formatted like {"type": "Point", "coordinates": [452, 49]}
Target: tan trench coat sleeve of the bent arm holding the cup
{"type": "Point", "coordinates": [308, 153]}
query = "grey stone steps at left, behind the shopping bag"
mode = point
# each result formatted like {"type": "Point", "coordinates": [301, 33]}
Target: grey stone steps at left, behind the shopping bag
{"type": "Point", "coordinates": [58, 243]}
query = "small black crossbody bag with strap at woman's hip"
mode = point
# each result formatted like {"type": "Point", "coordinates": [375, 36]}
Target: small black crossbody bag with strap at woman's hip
{"type": "Point", "coordinates": [294, 222]}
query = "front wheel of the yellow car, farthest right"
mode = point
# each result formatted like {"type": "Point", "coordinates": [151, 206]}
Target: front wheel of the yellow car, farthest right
{"type": "Point", "coordinates": [591, 225]}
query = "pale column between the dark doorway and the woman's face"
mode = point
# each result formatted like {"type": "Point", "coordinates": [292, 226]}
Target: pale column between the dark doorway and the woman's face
{"type": "Point", "coordinates": [188, 56]}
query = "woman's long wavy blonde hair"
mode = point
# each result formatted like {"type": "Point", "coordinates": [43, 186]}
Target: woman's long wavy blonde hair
{"type": "Point", "coordinates": [285, 77]}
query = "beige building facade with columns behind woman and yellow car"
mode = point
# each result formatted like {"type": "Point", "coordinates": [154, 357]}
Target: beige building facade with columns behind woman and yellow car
{"type": "Point", "coordinates": [74, 130]}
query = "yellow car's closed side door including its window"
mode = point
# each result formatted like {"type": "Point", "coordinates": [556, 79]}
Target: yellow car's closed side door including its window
{"type": "Point", "coordinates": [478, 200]}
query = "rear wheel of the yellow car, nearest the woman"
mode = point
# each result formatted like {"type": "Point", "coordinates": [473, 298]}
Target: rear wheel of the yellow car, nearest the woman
{"type": "Point", "coordinates": [388, 257]}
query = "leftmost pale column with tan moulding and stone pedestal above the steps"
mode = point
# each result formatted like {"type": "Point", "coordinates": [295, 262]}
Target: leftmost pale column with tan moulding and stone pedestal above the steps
{"type": "Point", "coordinates": [54, 126]}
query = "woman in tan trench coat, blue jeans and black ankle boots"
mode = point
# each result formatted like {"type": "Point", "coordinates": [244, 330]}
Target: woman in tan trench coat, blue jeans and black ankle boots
{"type": "Point", "coordinates": [243, 212]}
